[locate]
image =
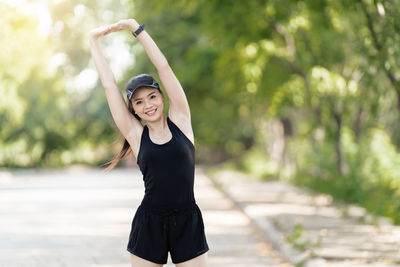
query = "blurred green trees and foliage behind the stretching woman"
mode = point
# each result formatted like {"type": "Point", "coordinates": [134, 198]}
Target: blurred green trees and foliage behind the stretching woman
{"type": "Point", "coordinates": [303, 91]}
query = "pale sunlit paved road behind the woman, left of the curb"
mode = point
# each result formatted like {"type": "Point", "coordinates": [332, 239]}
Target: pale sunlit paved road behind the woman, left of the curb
{"type": "Point", "coordinates": [80, 217]}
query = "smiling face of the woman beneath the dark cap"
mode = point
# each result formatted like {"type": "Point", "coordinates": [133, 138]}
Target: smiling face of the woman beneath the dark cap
{"type": "Point", "coordinates": [148, 103]}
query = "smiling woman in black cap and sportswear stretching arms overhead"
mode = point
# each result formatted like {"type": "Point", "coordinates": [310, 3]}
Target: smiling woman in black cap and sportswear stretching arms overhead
{"type": "Point", "coordinates": [168, 218]}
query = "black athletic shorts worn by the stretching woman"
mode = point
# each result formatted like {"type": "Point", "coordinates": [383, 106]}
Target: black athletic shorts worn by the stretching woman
{"type": "Point", "coordinates": [179, 230]}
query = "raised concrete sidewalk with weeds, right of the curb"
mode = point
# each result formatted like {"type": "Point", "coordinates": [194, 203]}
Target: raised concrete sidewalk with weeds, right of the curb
{"type": "Point", "coordinates": [309, 228]}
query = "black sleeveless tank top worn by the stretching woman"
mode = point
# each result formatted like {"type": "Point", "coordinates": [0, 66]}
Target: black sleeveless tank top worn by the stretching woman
{"type": "Point", "coordinates": [168, 169]}
